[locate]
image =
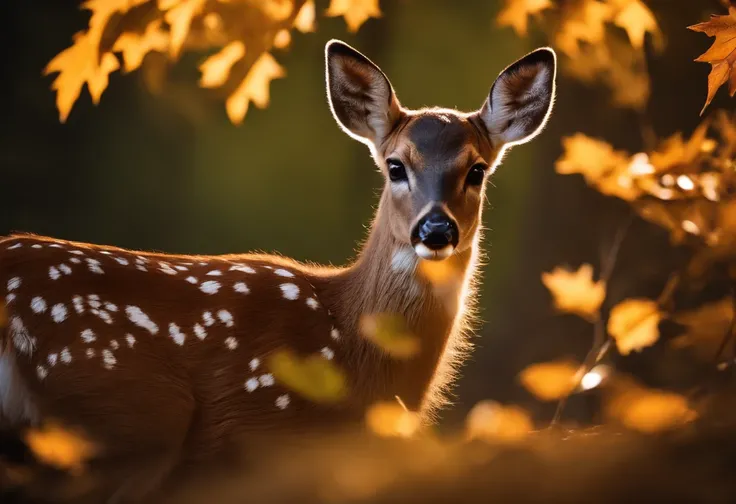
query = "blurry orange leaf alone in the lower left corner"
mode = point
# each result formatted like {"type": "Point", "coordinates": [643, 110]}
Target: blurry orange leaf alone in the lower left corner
{"type": "Point", "coordinates": [59, 447]}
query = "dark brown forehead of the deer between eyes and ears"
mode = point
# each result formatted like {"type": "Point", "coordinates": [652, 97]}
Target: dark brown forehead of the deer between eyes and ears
{"type": "Point", "coordinates": [437, 141]}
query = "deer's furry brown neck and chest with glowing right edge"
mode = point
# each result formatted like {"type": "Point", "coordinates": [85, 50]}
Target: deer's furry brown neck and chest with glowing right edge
{"type": "Point", "coordinates": [388, 277]}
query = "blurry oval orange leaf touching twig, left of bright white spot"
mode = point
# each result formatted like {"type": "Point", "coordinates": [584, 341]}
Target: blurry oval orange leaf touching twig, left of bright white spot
{"type": "Point", "coordinates": [550, 381]}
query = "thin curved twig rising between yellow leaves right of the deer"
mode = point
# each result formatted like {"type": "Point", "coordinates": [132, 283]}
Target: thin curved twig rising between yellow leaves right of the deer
{"type": "Point", "coordinates": [600, 345]}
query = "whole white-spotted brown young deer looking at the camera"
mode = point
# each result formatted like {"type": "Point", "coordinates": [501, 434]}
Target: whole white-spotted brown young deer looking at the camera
{"type": "Point", "coordinates": [165, 354]}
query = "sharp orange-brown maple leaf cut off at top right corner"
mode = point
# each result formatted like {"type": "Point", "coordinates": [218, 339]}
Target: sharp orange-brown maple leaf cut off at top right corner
{"type": "Point", "coordinates": [721, 55]}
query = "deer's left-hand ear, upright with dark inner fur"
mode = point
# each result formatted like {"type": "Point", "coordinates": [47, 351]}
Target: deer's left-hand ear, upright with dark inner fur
{"type": "Point", "coordinates": [361, 97]}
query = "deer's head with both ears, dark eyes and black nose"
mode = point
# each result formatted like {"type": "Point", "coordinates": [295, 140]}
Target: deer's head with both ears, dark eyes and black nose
{"type": "Point", "coordinates": [436, 161]}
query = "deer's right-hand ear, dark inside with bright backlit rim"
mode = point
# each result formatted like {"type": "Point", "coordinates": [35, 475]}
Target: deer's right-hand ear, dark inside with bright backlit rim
{"type": "Point", "coordinates": [521, 99]}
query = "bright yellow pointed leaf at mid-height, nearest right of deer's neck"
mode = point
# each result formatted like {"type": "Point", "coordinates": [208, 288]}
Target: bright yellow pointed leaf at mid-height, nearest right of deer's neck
{"type": "Point", "coordinates": [575, 291]}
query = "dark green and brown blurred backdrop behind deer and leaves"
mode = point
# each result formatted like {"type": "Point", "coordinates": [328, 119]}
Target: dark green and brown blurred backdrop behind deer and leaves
{"type": "Point", "coordinates": [157, 165]}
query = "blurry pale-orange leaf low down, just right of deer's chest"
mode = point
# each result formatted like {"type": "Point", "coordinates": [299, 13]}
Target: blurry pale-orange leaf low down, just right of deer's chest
{"type": "Point", "coordinates": [493, 422]}
